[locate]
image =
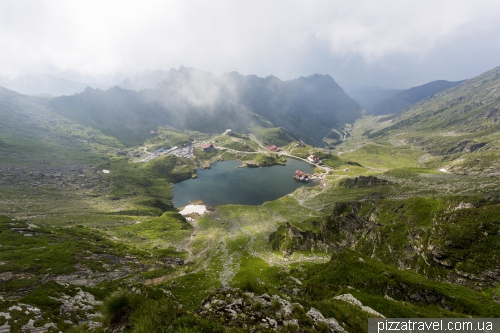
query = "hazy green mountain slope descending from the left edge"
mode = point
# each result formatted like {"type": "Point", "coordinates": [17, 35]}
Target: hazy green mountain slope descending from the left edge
{"type": "Point", "coordinates": [31, 133]}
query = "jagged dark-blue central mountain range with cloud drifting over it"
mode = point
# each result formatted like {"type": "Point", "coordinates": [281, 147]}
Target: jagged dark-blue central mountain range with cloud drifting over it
{"type": "Point", "coordinates": [191, 99]}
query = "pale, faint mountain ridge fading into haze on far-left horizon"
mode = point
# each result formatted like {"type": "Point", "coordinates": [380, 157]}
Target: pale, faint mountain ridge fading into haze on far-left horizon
{"type": "Point", "coordinates": [39, 84]}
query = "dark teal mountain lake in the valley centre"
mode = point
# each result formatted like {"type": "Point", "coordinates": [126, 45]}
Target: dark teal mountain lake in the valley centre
{"type": "Point", "coordinates": [225, 183]}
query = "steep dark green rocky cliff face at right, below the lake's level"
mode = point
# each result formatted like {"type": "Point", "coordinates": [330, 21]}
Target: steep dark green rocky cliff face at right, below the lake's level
{"type": "Point", "coordinates": [451, 239]}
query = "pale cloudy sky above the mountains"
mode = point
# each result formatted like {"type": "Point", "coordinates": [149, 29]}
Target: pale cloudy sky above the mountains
{"type": "Point", "coordinates": [389, 43]}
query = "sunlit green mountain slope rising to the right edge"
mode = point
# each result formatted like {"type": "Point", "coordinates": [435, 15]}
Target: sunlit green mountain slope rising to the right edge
{"type": "Point", "coordinates": [452, 124]}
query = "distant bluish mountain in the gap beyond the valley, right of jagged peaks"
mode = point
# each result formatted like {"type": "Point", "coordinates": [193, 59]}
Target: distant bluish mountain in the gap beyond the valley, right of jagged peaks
{"type": "Point", "coordinates": [380, 101]}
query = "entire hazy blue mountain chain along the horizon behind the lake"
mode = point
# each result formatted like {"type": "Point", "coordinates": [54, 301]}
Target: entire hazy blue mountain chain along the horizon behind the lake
{"type": "Point", "coordinates": [190, 99]}
